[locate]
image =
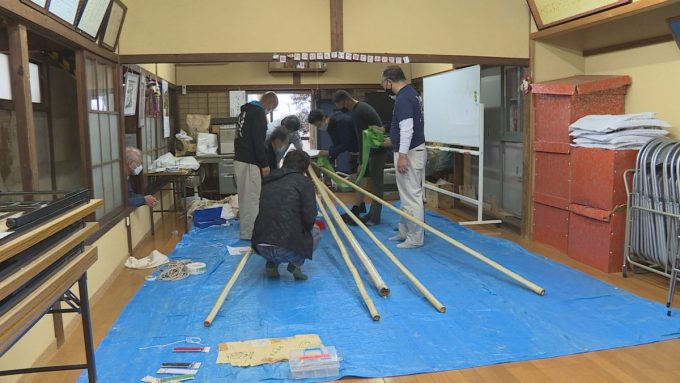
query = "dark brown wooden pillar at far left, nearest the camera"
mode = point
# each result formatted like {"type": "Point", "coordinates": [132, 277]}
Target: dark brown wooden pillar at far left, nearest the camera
{"type": "Point", "coordinates": [21, 94]}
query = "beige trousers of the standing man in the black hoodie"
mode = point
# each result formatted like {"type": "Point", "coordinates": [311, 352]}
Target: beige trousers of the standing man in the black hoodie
{"type": "Point", "coordinates": [248, 186]}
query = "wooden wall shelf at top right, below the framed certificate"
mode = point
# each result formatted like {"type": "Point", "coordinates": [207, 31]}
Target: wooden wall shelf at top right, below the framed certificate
{"type": "Point", "coordinates": [636, 24]}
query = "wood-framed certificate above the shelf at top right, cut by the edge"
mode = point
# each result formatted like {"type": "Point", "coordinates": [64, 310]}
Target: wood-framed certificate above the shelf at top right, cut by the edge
{"type": "Point", "coordinates": [548, 13]}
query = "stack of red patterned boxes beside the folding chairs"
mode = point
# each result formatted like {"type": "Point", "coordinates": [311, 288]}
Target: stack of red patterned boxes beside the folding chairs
{"type": "Point", "coordinates": [565, 175]}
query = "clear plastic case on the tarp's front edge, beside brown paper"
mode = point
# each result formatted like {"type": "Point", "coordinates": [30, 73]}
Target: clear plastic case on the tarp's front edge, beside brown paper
{"type": "Point", "coordinates": [316, 362]}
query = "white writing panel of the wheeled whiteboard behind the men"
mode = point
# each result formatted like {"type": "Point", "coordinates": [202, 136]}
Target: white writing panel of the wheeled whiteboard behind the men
{"type": "Point", "coordinates": [451, 103]}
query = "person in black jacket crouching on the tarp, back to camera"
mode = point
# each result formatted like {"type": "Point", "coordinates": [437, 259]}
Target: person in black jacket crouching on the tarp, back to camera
{"type": "Point", "coordinates": [285, 229]}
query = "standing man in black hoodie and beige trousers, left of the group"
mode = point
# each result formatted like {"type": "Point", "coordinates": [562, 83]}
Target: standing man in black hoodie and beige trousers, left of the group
{"type": "Point", "coordinates": [250, 162]}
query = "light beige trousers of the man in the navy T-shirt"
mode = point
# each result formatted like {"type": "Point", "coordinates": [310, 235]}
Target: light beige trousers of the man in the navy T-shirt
{"type": "Point", "coordinates": [410, 185]}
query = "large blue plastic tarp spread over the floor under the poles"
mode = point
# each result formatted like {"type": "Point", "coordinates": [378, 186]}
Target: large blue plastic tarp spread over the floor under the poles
{"type": "Point", "coordinates": [490, 318]}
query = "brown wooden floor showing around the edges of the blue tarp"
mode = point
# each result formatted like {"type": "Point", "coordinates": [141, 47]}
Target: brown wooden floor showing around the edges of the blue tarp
{"type": "Point", "coordinates": [657, 362]}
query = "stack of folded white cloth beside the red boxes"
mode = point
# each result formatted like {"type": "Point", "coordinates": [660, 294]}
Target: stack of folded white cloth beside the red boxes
{"type": "Point", "coordinates": [620, 131]}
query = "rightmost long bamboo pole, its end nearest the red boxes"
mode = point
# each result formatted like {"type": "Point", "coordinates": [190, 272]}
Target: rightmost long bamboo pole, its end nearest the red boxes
{"type": "Point", "coordinates": [532, 286]}
